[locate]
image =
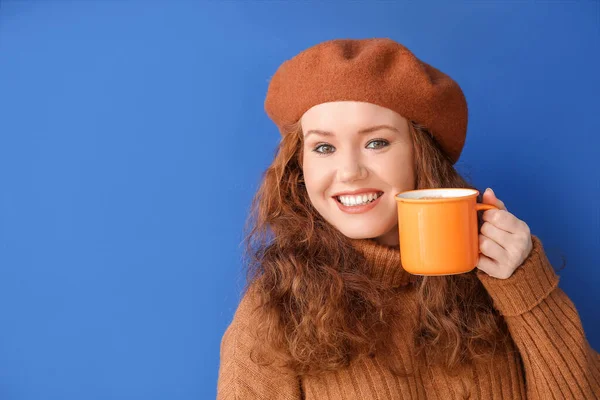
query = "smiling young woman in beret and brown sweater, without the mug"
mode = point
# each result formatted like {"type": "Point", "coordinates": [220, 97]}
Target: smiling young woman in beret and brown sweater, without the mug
{"type": "Point", "coordinates": [329, 313]}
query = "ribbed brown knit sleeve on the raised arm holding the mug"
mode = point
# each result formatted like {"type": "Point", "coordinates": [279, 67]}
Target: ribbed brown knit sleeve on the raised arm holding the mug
{"type": "Point", "coordinates": [559, 362]}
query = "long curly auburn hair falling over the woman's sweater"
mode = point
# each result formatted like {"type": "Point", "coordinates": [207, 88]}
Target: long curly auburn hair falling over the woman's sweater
{"type": "Point", "coordinates": [319, 310]}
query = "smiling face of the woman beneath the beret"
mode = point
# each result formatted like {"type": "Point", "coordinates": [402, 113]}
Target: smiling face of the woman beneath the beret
{"type": "Point", "coordinates": [362, 148]}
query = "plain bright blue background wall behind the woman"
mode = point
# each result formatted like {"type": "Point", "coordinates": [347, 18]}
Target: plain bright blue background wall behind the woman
{"type": "Point", "coordinates": [133, 136]}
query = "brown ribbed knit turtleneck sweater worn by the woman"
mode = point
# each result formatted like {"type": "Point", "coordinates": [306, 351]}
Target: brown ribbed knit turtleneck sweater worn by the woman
{"type": "Point", "coordinates": [552, 358]}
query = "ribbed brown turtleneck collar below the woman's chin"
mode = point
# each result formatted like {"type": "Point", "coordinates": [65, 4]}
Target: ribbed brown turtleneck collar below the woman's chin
{"type": "Point", "coordinates": [385, 262]}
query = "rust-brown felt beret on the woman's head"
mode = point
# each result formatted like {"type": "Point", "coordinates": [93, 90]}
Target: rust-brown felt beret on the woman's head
{"type": "Point", "coordinates": [379, 71]}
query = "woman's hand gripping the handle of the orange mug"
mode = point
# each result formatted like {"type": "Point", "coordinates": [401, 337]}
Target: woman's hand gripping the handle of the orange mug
{"type": "Point", "coordinates": [504, 240]}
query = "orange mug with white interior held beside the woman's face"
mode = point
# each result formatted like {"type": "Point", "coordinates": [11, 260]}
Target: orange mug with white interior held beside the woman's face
{"type": "Point", "coordinates": [438, 230]}
